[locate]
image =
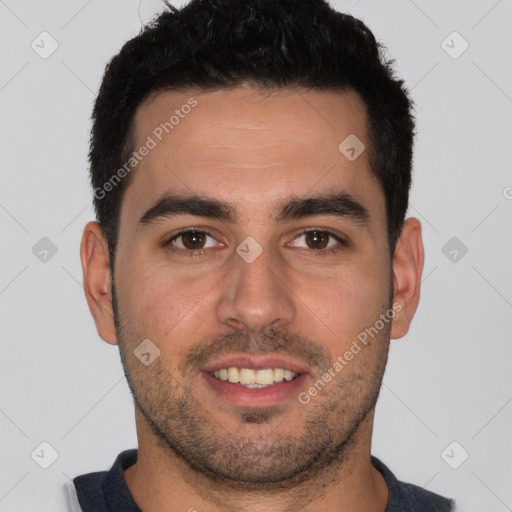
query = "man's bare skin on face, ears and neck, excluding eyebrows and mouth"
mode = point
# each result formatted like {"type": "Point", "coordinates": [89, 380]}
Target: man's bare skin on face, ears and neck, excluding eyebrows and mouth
{"type": "Point", "coordinates": [199, 450]}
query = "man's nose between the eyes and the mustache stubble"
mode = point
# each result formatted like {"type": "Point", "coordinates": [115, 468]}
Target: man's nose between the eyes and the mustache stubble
{"type": "Point", "coordinates": [256, 295]}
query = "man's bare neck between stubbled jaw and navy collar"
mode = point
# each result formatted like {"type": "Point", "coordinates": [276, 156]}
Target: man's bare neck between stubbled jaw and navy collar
{"type": "Point", "coordinates": [162, 481]}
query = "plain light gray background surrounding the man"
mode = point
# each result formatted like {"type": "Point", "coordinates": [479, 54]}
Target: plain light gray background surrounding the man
{"type": "Point", "coordinates": [448, 380]}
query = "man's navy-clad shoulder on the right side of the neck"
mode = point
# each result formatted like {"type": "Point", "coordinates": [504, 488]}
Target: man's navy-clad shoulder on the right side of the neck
{"type": "Point", "coordinates": [404, 497]}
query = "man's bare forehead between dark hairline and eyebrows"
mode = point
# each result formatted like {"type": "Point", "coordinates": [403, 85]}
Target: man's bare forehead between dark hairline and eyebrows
{"type": "Point", "coordinates": [251, 147]}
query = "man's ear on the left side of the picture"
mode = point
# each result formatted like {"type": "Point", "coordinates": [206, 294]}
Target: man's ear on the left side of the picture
{"type": "Point", "coordinates": [97, 280]}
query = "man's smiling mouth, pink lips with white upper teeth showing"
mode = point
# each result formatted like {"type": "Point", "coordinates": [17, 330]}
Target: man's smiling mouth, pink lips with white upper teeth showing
{"type": "Point", "coordinates": [251, 381]}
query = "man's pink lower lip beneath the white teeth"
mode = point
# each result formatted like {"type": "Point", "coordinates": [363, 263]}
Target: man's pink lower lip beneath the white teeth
{"type": "Point", "coordinates": [255, 397]}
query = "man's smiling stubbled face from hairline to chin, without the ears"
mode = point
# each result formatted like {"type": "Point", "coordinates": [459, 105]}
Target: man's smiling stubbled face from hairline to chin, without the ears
{"type": "Point", "coordinates": [251, 249]}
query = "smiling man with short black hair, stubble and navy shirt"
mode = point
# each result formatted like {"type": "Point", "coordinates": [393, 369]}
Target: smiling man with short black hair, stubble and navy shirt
{"type": "Point", "coordinates": [251, 164]}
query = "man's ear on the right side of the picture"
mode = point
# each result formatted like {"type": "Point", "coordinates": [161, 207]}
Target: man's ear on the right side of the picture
{"type": "Point", "coordinates": [407, 269]}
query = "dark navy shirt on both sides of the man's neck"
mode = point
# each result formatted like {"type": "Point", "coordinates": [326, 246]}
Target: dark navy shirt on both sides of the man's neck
{"type": "Point", "coordinates": [106, 491]}
